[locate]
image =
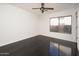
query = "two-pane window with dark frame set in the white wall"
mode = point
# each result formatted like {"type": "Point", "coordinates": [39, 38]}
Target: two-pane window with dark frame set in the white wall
{"type": "Point", "coordinates": [61, 24]}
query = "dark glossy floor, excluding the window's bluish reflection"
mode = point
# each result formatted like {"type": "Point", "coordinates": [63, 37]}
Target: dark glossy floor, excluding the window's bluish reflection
{"type": "Point", "coordinates": [34, 46]}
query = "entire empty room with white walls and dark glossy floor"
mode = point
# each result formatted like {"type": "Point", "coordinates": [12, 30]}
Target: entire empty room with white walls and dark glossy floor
{"type": "Point", "coordinates": [39, 29]}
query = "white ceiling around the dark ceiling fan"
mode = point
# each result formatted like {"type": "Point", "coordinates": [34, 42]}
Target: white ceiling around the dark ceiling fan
{"type": "Point", "coordinates": [57, 6]}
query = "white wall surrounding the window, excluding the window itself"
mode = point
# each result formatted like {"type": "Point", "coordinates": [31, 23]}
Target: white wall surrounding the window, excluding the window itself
{"type": "Point", "coordinates": [45, 30]}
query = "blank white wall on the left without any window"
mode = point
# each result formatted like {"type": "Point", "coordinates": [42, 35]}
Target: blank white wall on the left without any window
{"type": "Point", "coordinates": [16, 24]}
